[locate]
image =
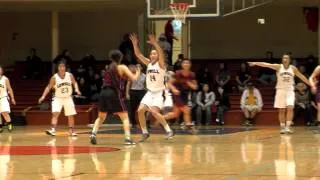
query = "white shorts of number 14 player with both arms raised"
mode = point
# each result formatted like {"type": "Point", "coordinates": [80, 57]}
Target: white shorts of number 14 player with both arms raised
{"type": "Point", "coordinates": [153, 99]}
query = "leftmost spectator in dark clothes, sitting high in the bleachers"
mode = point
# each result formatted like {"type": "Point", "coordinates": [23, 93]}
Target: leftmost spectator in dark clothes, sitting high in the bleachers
{"type": "Point", "coordinates": [34, 65]}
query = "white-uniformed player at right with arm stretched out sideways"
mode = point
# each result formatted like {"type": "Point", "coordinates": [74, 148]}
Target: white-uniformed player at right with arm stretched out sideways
{"type": "Point", "coordinates": [285, 96]}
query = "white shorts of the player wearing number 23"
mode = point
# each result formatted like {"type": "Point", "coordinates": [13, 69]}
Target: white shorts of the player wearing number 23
{"type": "Point", "coordinates": [65, 103]}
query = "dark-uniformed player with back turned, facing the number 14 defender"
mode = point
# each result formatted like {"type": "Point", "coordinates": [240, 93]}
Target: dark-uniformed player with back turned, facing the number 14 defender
{"type": "Point", "coordinates": [112, 96]}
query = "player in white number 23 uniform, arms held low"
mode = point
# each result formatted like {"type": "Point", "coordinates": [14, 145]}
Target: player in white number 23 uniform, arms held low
{"type": "Point", "coordinates": [62, 83]}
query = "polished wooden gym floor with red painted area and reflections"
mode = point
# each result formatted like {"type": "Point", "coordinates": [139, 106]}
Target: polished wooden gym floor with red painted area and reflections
{"type": "Point", "coordinates": [217, 153]}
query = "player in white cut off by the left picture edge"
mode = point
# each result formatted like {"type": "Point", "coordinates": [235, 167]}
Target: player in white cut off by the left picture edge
{"type": "Point", "coordinates": [5, 89]}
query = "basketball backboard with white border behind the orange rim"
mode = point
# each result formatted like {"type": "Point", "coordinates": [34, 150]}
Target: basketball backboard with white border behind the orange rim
{"type": "Point", "coordinates": [160, 9]}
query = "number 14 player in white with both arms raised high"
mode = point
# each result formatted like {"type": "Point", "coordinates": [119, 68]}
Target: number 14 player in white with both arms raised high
{"type": "Point", "coordinates": [154, 99]}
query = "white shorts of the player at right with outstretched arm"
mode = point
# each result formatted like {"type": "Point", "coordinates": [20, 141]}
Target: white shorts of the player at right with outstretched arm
{"type": "Point", "coordinates": [284, 98]}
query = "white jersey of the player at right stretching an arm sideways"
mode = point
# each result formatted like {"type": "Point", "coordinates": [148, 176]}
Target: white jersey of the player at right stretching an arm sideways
{"type": "Point", "coordinates": [285, 78]}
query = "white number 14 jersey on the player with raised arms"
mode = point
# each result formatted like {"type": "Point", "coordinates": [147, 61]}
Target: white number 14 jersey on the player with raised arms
{"type": "Point", "coordinates": [155, 77]}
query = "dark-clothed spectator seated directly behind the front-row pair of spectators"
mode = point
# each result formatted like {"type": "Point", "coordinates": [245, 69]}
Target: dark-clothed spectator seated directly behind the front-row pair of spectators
{"type": "Point", "coordinates": [223, 77]}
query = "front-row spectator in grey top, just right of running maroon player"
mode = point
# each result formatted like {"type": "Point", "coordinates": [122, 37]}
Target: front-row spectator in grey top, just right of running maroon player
{"type": "Point", "coordinates": [205, 100]}
